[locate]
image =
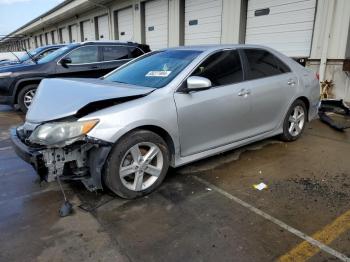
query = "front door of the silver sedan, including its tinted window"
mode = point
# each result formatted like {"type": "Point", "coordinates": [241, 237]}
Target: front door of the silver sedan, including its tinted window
{"type": "Point", "coordinates": [219, 115]}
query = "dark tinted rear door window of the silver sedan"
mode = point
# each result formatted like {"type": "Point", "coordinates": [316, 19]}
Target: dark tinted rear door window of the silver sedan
{"type": "Point", "coordinates": [263, 64]}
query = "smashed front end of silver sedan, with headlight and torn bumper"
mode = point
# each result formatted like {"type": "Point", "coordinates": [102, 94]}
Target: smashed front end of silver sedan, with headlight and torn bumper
{"type": "Point", "coordinates": [68, 153]}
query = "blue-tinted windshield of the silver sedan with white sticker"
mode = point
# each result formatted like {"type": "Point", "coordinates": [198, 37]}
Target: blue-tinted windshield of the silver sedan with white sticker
{"type": "Point", "coordinates": [155, 70]}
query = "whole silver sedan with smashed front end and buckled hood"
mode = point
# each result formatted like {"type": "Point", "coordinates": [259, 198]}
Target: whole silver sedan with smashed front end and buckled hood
{"type": "Point", "coordinates": [169, 107]}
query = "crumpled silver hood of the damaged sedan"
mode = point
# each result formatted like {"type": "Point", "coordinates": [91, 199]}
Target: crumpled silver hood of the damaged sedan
{"type": "Point", "coordinates": [58, 98]}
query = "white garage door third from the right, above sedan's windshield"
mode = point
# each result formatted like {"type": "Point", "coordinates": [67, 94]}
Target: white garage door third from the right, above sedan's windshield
{"type": "Point", "coordinates": [156, 24]}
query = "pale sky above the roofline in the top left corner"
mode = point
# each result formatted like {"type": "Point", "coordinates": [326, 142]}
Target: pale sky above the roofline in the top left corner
{"type": "Point", "coordinates": [15, 13]}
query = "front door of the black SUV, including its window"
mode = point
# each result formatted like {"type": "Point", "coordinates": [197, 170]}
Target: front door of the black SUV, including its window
{"type": "Point", "coordinates": [85, 63]}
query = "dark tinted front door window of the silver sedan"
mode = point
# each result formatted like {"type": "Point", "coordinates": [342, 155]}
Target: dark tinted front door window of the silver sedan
{"type": "Point", "coordinates": [221, 68]}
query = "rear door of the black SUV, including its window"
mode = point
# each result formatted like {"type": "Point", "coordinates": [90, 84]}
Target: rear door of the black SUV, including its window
{"type": "Point", "coordinates": [113, 56]}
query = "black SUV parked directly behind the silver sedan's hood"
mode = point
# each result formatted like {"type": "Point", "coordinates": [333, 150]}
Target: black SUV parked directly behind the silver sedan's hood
{"type": "Point", "coordinates": [18, 83]}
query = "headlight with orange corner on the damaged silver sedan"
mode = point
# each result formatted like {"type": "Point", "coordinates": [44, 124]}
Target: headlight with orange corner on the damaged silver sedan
{"type": "Point", "coordinates": [61, 132]}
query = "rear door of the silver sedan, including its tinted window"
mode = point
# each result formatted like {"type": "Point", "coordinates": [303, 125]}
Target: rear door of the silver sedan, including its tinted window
{"type": "Point", "coordinates": [272, 85]}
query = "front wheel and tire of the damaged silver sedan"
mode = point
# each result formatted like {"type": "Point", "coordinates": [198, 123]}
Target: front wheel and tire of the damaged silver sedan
{"type": "Point", "coordinates": [137, 164]}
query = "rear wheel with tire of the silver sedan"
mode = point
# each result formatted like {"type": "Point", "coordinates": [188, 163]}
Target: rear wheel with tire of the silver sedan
{"type": "Point", "coordinates": [294, 122]}
